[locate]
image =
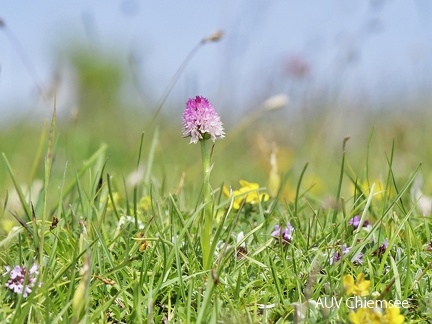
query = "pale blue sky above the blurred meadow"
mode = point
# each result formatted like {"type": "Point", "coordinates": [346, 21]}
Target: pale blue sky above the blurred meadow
{"type": "Point", "coordinates": [390, 43]}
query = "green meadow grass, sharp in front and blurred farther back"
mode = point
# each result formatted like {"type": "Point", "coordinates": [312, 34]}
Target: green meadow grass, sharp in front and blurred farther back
{"type": "Point", "coordinates": [130, 251]}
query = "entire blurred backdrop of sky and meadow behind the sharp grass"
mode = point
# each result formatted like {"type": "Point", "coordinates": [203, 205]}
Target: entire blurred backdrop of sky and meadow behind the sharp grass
{"type": "Point", "coordinates": [361, 69]}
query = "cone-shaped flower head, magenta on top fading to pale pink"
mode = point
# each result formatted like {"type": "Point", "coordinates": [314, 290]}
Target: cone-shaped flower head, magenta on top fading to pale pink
{"type": "Point", "coordinates": [200, 121]}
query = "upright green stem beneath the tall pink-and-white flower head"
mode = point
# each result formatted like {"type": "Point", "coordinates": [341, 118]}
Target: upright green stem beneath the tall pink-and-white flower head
{"type": "Point", "coordinates": [207, 217]}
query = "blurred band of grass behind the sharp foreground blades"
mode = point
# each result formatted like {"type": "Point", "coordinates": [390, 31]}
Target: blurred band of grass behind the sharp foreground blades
{"type": "Point", "coordinates": [316, 140]}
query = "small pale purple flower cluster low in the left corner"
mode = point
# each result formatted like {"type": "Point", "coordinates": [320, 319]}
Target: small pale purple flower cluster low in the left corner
{"type": "Point", "coordinates": [17, 276]}
